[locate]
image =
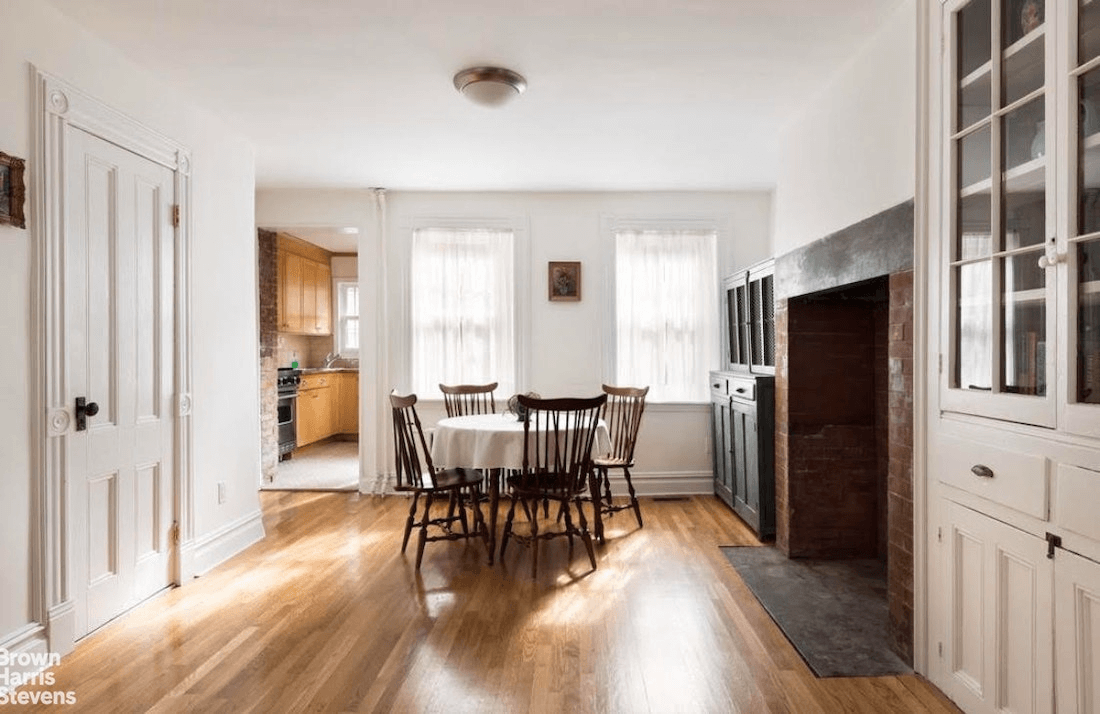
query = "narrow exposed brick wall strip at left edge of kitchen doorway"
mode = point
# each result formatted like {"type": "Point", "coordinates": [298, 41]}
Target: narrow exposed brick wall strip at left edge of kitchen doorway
{"type": "Point", "coordinates": [268, 279]}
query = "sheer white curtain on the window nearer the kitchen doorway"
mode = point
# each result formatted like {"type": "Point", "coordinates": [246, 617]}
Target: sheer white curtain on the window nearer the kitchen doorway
{"type": "Point", "coordinates": [463, 309]}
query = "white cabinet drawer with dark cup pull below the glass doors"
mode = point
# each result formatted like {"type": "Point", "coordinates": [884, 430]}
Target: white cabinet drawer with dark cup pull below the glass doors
{"type": "Point", "coordinates": [1013, 479]}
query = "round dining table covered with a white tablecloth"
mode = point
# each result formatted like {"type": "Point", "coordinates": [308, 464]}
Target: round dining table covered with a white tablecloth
{"type": "Point", "coordinates": [491, 443]}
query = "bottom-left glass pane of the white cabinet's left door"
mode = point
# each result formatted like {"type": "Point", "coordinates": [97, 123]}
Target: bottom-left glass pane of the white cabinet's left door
{"type": "Point", "coordinates": [974, 338]}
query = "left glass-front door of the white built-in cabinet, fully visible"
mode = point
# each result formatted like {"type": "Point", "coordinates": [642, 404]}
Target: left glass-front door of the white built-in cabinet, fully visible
{"type": "Point", "coordinates": [1000, 348]}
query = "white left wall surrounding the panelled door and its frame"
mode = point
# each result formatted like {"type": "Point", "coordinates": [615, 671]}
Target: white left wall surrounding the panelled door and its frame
{"type": "Point", "coordinates": [227, 430]}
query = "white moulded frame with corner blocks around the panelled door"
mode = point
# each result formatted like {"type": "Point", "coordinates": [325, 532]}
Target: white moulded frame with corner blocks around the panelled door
{"type": "Point", "coordinates": [58, 106]}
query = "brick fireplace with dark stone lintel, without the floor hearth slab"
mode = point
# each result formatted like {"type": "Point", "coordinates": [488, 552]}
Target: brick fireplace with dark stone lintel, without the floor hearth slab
{"type": "Point", "coordinates": [844, 404]}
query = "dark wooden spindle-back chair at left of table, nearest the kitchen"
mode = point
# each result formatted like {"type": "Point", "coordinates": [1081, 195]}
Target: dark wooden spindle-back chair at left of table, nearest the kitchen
{"type": "Point", "coordinates": [417, 475]}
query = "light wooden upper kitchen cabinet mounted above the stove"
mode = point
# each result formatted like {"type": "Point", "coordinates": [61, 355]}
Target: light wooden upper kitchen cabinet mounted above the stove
{"type": "Point", "coordinates": [305, 289]}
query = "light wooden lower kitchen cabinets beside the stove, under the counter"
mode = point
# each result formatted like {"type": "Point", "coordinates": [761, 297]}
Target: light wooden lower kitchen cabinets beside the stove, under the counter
{"type": "Point", "coordinates": [328, 405]}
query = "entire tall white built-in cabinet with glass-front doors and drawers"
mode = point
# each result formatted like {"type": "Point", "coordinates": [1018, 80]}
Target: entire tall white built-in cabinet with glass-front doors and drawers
{"type": "Point", "coordinates": [1015, 338]}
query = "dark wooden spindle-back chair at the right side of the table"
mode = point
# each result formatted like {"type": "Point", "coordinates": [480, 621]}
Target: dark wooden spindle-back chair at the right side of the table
{"type": "Point", "coordinates": [623, 416]}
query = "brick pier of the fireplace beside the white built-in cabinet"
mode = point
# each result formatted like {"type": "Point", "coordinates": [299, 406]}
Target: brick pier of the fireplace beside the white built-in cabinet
{"type": "Point", "coordinates": [900, 481]}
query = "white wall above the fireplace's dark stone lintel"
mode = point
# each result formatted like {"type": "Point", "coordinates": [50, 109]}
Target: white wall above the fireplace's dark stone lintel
{"type": "Point", "coordinates": [851, 152]}
